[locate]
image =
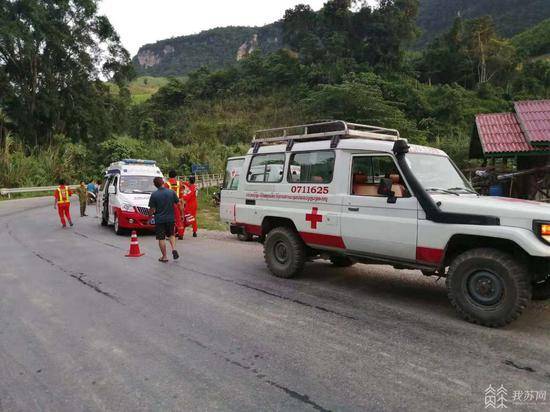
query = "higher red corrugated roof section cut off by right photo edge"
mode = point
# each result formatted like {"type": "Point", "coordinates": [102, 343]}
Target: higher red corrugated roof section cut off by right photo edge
{"type": "Point", "coordinates": [534, 119]}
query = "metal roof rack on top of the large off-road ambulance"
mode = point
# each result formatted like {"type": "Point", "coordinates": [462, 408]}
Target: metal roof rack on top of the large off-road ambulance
{"type": "Point", "coordinates": [333, 130]}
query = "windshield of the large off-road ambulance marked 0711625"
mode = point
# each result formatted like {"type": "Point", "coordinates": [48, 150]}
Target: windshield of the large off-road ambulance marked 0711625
{"type": "Point", "coordinates": [437, 173]}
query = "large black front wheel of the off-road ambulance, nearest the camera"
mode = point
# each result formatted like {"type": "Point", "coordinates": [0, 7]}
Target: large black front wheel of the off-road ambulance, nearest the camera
{"type": "Point", "coordinates": [488, 287]}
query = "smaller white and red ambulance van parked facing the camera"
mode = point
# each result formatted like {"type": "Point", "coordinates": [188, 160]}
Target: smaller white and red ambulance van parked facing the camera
{"type": "Point", "coordinates": [123, 199]}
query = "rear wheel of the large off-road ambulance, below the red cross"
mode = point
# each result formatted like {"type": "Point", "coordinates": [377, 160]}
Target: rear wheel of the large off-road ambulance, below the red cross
{"type": "Point", "coordinates": [284, 252]}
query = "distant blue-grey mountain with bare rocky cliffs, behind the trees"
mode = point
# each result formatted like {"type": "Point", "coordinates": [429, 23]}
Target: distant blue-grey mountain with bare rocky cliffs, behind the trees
{"type": "Point", "coordinates": [222, 46]}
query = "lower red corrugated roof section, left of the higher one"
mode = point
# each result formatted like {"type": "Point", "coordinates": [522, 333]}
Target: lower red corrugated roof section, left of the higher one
{"type": "Point", "coordinates": [501, 133]}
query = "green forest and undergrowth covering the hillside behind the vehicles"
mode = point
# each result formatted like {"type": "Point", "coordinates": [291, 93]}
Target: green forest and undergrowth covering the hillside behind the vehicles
{"type": "Point", "coordinates": [66, 106]}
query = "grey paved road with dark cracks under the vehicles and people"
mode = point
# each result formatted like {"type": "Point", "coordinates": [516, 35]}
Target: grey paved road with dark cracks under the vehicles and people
{"type": "Point", "coordinates": [82, 328]}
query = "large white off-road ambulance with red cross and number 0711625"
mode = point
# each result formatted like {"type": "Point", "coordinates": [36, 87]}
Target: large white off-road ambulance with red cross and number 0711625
{"type": "Point", "coordinates": [354, 193]}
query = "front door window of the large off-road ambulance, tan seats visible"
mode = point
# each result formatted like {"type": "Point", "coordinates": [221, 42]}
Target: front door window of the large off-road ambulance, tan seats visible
{"type": "Point", "coordinates": [367, 172]}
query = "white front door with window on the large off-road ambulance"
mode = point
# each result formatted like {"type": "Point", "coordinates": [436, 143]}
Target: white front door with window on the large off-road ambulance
{"type": "Point", "coordinates": [371, 225]}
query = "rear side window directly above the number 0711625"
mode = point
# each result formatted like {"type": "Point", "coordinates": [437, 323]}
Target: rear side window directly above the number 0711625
{"type": "Point", "coordinates": [311, 167]}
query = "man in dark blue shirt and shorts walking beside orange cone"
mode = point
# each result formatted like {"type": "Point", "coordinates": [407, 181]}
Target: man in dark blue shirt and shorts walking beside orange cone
{"type": "Point", "coordinates": [161, 206]}
